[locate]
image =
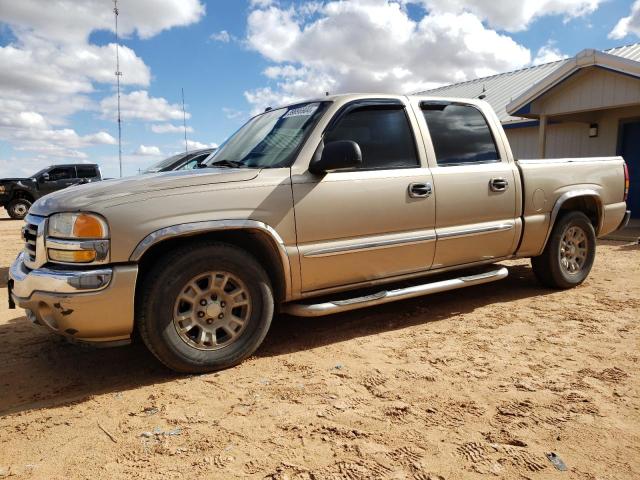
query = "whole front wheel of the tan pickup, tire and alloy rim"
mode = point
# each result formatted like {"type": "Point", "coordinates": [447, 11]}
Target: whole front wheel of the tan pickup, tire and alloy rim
{"type": "Point", "coordinates": [178, 285]}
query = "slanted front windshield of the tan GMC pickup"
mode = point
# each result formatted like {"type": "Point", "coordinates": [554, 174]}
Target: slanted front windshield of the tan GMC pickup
{"type": "Point", "coordinates": [271, 139]}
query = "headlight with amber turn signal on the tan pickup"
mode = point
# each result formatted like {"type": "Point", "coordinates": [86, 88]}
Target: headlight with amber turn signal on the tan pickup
{"type": "Point", "coordinates": [77, 238]}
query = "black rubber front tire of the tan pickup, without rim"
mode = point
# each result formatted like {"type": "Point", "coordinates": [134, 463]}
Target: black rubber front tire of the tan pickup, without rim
{"type": "Point", "coordinates": [166, 280]}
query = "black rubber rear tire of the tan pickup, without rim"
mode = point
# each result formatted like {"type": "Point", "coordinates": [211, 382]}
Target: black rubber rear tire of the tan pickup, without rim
{"type": "Point", "coordinates": [548, 267]}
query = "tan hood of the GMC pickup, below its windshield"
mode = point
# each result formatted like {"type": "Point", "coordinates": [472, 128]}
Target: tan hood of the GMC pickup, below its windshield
{"type": "Point", "coordinates": [81, 197]}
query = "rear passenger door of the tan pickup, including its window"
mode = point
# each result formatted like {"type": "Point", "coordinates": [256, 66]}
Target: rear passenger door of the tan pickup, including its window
{"type": "Point", "coordinates": [474, 182]}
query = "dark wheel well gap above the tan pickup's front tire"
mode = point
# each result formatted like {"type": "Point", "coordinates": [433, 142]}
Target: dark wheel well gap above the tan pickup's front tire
{"type": "Point", "coordinates": [253, 242]}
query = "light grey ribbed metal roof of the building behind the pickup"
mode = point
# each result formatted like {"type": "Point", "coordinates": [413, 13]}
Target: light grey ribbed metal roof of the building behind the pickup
{"type": "Point", "coordinates": [501, 89]}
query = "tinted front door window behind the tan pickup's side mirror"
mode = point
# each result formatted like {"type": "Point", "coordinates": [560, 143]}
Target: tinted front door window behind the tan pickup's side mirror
{"type": "Point", "coordinates": [384, 136]}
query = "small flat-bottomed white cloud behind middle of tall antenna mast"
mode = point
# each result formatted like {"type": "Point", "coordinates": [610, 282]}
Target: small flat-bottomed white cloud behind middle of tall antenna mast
{"type": "Point", "coordinates": [138, 105]}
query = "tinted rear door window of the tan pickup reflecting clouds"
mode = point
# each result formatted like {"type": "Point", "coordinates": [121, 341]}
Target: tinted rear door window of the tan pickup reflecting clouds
{"type": "Point", "coordinates": [460, 134]}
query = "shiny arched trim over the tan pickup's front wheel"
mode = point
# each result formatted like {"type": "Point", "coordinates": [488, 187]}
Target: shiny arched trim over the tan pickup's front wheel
{"type": "Point", "coordinates": [187, 229]}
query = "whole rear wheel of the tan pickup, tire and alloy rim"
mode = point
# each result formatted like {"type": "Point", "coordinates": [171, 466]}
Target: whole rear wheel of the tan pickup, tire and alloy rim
{"type": "Point", "coordinates": [568, 257]}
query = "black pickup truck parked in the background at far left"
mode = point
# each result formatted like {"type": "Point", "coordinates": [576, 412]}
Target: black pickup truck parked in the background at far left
{"type": "Point", "coordinates": [17, 194]}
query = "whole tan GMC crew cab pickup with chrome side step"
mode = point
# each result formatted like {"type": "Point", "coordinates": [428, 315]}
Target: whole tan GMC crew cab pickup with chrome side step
{"type": "Point", "coordinates": [309, 209]}
